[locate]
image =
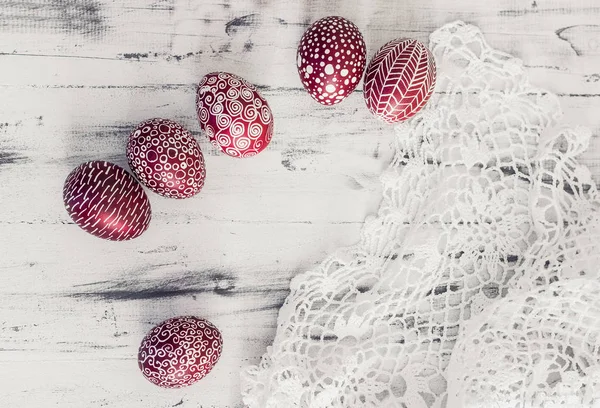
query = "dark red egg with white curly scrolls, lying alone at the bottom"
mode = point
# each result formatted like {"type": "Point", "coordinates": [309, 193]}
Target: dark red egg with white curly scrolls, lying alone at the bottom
{"type": "Point", "coordinates": [180, 351]}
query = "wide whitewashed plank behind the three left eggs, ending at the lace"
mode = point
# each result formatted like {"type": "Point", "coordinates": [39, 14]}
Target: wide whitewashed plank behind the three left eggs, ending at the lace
{"type": "Point", "coordinates": [321, 167]}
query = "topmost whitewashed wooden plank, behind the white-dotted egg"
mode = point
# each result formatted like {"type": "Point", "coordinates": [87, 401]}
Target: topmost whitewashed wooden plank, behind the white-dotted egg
{"type": "Point", "coordinates": [188, 41]}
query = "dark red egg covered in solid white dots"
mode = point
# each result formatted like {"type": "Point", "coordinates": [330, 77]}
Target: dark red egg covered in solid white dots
{"type": "Point", "coordinates": [331, 59]}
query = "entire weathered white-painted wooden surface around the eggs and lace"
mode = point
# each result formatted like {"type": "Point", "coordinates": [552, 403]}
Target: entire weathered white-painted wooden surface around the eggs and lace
{"type": "Point", "coordinates": [77, 75]}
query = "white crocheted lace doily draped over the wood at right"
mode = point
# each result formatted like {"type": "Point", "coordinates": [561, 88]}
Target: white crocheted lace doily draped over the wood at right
{"type": "Point", "coordinates": [476, 284]}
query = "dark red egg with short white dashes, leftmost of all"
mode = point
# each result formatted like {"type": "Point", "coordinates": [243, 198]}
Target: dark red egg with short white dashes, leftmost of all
{"type": "Point", "coordinates": [106, 201]}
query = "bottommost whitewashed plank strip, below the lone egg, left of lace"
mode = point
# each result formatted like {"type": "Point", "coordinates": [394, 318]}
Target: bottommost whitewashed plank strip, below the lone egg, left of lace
{"type": "Point", "coordinates": [109, 382]}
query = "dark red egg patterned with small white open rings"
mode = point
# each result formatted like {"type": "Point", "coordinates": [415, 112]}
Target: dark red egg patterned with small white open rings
{"type": "Point", "coordinates": [166, 158]}
